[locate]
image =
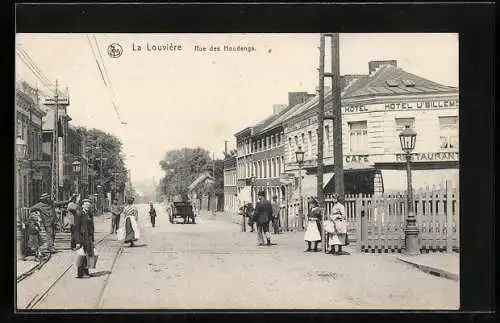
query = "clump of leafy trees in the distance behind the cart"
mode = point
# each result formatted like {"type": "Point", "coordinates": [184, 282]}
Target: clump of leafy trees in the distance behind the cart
{"type": "Point", "coordinates": [183, 166]}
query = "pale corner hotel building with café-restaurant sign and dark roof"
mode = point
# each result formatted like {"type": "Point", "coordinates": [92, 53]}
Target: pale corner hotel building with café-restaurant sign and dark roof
{"type": "Point", "coordinates": [375, 109]}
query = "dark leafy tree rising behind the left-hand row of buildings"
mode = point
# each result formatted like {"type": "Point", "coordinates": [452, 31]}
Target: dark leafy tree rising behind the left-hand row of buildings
{"type": "Point", "coordinates": [113, 172]}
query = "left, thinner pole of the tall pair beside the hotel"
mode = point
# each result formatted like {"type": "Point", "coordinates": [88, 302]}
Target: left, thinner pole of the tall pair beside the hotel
{"type": "Point", "coordinates": [321, 116]}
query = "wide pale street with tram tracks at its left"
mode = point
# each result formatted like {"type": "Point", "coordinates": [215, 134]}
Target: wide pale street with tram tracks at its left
{"type": "Point", "coordinates": [213, 265]}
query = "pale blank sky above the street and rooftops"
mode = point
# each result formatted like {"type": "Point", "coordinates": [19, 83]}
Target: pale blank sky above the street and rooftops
{"type": "Point", "coordinates": [171, 99]}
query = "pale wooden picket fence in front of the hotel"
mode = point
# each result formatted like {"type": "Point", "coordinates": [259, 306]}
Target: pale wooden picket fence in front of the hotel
{"type": "Point", "coordinates": [376, 222]}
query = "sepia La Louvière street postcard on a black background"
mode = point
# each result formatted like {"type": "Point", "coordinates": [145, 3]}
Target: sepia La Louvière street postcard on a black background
{"type": "Point", "coordinates": [237, 171]}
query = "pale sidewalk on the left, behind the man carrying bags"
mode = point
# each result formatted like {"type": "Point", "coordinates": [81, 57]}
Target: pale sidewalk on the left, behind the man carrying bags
{"type": "Point", "coordinates": [29, 265]}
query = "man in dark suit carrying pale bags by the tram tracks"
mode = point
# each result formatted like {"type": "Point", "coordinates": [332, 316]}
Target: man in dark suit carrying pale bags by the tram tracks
{"type": "Point", "coordinates": [84, 228]}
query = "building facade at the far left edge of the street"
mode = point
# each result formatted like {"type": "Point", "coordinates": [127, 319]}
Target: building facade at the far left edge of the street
{"type": "Point", "coordinates": [30, 170]}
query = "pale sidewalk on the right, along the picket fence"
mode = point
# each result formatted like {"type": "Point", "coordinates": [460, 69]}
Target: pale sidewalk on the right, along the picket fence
{"type": "Point", "coordinates": [446, 265]}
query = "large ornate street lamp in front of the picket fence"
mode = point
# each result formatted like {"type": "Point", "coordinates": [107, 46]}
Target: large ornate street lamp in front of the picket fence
{"type": "Point", "coordinates": [407, 138]}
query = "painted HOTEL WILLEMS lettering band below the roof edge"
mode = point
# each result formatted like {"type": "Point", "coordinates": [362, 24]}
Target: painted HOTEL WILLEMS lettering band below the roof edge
{"type": "Point", "coordinates": [443, 104]}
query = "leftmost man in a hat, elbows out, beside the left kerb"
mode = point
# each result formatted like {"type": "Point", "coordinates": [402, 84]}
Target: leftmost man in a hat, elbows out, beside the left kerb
{"type": "Point", "coordinates": [47, 209]}
